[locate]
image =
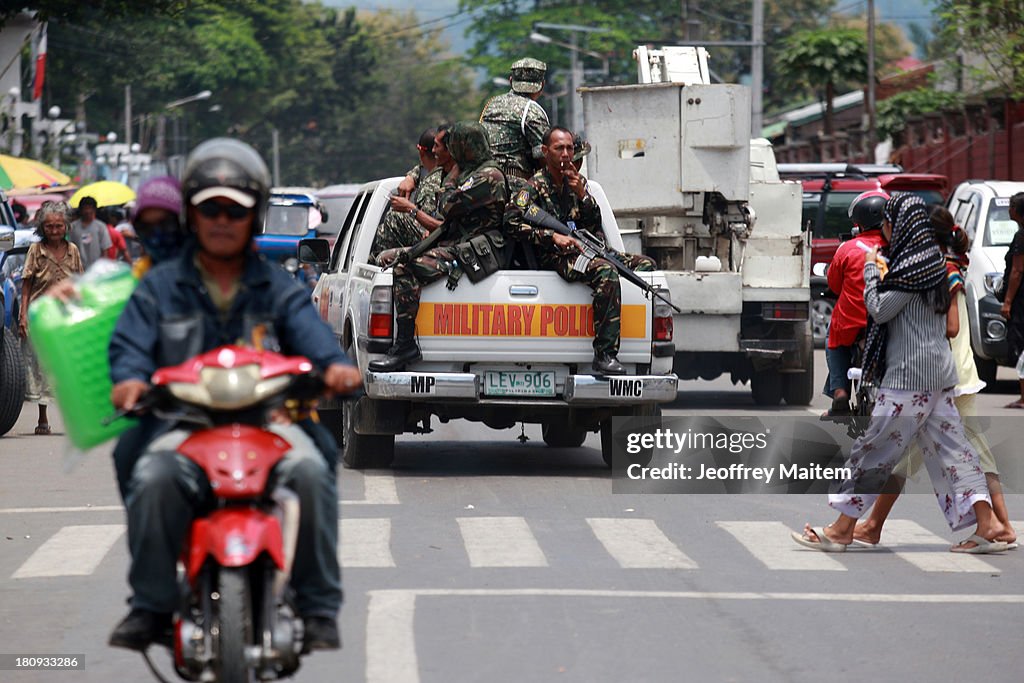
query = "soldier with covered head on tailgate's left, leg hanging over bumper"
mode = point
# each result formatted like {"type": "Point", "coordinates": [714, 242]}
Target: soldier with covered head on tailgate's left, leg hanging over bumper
{"type": "Point", "coordinates": [476, 206]}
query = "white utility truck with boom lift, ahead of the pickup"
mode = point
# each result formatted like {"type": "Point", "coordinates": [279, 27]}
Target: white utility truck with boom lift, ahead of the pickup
{"type": "Point", "coordinates": [674, 155]}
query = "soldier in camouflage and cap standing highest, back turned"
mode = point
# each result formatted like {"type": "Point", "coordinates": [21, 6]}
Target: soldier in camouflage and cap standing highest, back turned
{"type": "Point", "coordinates": [516, 123]}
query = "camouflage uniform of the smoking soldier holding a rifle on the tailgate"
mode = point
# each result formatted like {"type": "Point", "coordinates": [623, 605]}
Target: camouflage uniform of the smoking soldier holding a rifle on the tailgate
{"type": "Point", "coordinates": [601, 276]}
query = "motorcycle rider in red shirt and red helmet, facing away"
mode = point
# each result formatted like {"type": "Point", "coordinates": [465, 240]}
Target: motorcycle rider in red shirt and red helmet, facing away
{"type": "Point", "coordinates": [846, 279]}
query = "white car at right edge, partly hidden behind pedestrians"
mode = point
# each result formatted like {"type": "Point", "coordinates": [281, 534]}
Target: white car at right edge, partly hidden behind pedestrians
{"type": "Point", "coordinates": [983, 208]}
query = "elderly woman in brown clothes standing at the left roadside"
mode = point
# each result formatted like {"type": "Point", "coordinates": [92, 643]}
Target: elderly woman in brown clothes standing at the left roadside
{"type": "Point", "coordinates": [49, 262]}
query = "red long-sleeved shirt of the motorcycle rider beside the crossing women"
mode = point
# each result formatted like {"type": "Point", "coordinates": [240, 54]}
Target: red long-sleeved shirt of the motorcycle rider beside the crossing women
{"type": "Point", "coordinates": [846, 278]}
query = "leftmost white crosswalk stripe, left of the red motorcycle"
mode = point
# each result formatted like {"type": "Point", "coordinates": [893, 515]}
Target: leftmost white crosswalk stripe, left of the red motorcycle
{"type": "Point", "coordinates": [74, 551]}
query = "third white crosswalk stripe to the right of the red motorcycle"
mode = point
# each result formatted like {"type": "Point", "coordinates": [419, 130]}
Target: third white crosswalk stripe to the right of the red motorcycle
{"type": "Point", "coordinates": [639, 544]}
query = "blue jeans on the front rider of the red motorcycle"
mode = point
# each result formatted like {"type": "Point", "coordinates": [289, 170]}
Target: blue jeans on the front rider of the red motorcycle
{"type": "Point", "coordinates": [167, 490]}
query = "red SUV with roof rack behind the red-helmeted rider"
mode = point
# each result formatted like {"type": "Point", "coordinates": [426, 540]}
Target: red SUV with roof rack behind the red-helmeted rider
{"type": "Point", "coordinates": [827, 205]}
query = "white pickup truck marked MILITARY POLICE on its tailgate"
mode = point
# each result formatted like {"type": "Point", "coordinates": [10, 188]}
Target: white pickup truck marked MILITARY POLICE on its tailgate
{"type": "Point", "coordinates": [515, 348]}
